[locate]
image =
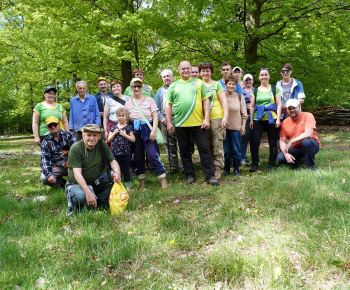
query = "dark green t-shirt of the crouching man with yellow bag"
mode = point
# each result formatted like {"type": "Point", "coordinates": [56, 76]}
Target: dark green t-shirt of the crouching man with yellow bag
{"type": "Point", "coordinates": [90, 161]}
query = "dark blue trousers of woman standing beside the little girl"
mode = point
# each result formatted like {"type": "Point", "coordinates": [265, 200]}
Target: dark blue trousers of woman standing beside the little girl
{"type": "Point", "coordinates": [152, 151]}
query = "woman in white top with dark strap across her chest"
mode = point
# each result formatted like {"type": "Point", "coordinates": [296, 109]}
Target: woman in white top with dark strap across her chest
{"type": "Point", "coordinates": [112, 105]}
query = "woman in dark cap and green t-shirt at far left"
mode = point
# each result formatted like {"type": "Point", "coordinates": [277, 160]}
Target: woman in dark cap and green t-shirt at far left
{"type": "Point", "coordinates": [44, 110]}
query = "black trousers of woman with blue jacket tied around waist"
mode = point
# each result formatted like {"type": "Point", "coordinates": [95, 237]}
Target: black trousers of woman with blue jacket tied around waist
{"type": "Point", "coordinates": [272, 135]}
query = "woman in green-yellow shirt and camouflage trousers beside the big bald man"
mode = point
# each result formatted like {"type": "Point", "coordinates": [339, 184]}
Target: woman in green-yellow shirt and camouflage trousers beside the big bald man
{"type": "Point", "coordinates": [218, 116]}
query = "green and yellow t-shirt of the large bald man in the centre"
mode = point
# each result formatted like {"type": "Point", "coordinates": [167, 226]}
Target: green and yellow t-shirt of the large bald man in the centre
{"type": "Point", "coordinates": [187, 97]}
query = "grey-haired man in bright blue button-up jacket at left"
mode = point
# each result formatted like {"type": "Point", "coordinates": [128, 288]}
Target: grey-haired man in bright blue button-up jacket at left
{"type": "Point", "coordinates": [83, 110]}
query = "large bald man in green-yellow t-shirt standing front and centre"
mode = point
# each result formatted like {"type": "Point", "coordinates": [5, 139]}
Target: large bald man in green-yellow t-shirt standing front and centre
{"type": "Point", "coordinates": [191, 118]}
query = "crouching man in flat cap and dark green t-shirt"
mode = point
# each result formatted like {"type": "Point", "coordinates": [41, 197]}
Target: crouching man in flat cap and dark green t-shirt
{"type": "Point", "coordinates": [87, 182]}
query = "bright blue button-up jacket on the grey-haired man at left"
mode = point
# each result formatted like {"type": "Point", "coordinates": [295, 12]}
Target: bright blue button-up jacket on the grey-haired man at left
{"type": "Point", "coordinates": [82, 113]}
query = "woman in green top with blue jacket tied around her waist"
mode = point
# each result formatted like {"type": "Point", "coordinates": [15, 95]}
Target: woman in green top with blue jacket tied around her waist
{"type": "Point", "coordinates": [265, 115]}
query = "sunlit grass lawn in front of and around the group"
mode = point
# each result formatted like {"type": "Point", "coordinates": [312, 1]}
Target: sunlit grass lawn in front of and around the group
{"type": "Point", "coordinates": [286, 229]}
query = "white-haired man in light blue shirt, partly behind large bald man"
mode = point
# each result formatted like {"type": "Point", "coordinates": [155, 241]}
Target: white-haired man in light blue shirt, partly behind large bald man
{"type": "Point", "coordinates": [169, 140]}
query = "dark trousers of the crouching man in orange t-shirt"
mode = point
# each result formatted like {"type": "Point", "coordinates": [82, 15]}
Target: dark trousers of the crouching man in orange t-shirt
{"type": "Point", "coordinates": [308, 150]}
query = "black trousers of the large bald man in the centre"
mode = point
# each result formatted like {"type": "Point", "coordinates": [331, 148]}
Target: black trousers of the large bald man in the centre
{"type": "Point", "coordinates": [200, 138]}
